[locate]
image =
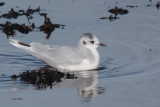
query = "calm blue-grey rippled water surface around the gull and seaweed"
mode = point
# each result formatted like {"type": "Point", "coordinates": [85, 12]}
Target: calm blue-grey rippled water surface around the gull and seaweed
{"type": "Point", "coordinates": [132, 58]}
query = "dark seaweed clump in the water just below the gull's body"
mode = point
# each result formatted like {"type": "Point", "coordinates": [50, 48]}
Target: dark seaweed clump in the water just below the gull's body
{"type": "Point", "coordinates": [43, 77]}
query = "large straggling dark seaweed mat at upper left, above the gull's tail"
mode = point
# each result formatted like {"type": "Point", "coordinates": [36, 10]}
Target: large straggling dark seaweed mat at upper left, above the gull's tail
{"type": "Point", "coordinates": [10, 28]}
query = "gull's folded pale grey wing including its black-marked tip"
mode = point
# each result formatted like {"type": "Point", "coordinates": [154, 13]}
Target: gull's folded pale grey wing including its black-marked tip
{"type": "Point", "coordinates": [52, 55]}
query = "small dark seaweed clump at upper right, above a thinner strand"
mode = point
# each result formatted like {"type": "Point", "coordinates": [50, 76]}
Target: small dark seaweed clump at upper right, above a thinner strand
{"type": "Point", "coordinates": [117, 11]}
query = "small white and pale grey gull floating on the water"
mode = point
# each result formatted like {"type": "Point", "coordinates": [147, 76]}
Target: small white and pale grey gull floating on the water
{"type": "Point", "coordinates": [83, 57]}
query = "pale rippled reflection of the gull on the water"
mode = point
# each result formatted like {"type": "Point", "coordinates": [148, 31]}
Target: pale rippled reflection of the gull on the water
{"type": "Point", "coordinates": [86, 84]}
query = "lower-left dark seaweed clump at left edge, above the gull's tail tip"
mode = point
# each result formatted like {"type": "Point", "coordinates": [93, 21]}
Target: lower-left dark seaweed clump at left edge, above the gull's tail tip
{"type": "Point", "coordinates": [9, 28]}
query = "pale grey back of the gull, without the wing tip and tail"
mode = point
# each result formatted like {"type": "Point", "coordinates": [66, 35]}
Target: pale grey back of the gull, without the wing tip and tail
{"type": "Point", "coordinates": [58, 55]}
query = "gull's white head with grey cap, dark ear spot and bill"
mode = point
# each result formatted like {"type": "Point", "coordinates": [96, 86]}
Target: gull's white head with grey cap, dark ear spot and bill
{"type": "Point", "coordinates": [90, 41]}
